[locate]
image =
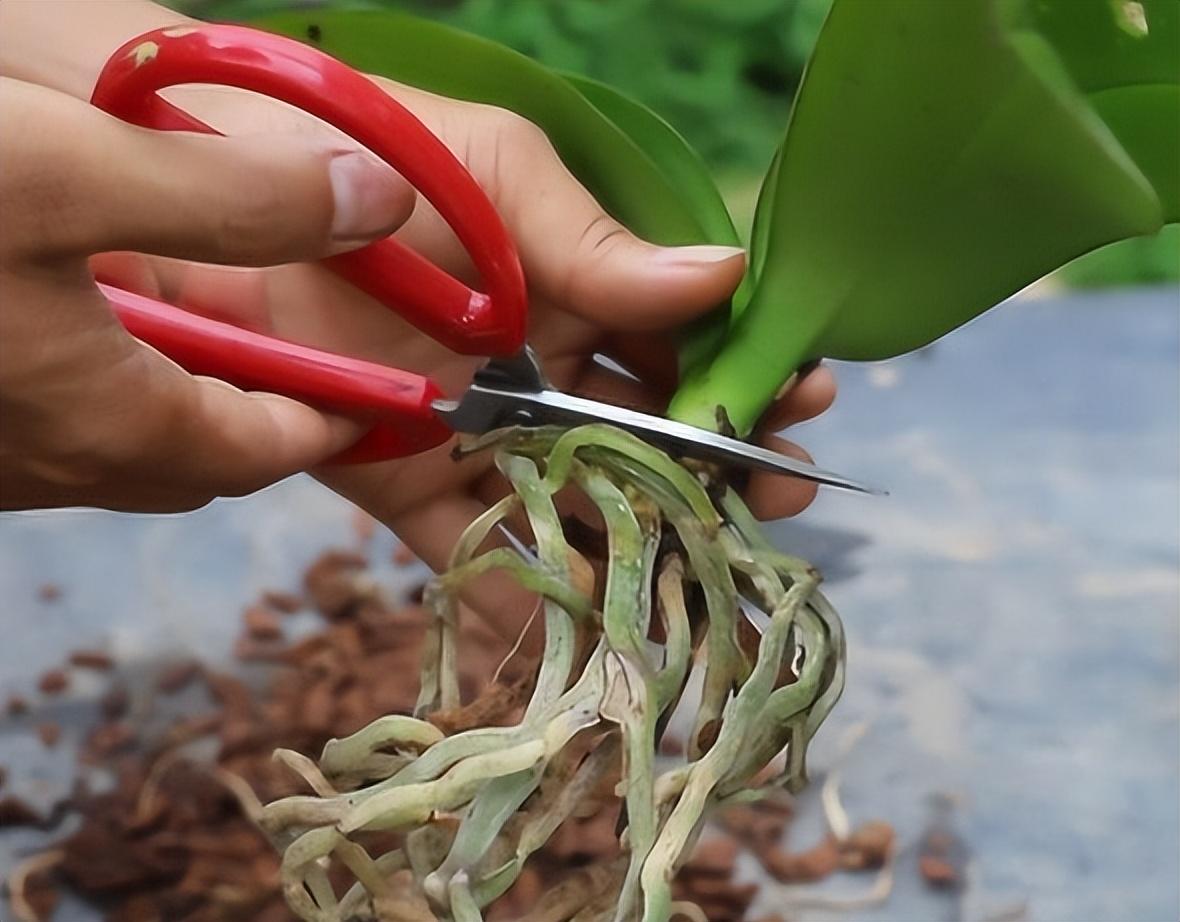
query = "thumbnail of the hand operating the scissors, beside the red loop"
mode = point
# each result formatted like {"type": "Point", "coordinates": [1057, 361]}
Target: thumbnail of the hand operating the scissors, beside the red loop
{"type": "Point", "coordinates": [369, 198]}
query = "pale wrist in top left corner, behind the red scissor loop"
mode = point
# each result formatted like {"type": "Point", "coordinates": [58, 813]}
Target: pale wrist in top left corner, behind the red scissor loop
{"type": "Point", "coordinates": [63, 45]}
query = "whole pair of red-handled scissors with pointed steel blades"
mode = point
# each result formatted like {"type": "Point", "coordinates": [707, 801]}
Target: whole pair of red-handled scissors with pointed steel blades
{"type": "Point", "coordinates": [410, 414]}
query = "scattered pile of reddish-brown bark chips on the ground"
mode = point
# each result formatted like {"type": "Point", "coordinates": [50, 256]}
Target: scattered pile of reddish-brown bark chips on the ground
{"type": "Point", "coordinates": [174, 841]}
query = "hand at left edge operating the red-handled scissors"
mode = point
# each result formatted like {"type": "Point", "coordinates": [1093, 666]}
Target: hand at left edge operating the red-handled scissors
{"type": "Point", "coordinates": [88, 415]}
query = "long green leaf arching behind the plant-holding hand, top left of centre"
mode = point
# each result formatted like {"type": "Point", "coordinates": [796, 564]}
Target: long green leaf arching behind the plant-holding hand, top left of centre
{"type": "Point", "coordinates": [620, 173]}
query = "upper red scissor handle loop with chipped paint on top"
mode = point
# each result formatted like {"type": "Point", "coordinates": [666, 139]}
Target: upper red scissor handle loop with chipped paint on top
{"type": "Point", "coordinates": [466, 322]}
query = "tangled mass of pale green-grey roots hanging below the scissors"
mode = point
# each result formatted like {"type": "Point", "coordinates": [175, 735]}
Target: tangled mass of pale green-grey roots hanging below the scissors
{"type": "Point", "coordinates": [471, 803]}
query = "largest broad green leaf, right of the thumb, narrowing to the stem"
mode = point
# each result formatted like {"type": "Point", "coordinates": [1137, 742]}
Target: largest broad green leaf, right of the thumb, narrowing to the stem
{"type": "Point", "coordinates": [939, 160]}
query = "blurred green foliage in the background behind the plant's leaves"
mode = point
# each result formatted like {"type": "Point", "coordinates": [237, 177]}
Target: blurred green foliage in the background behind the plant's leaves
{"type": "Point", "coordinates": [723, 73]}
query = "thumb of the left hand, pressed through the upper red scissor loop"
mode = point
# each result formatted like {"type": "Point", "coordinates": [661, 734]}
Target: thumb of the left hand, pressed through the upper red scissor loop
{"type": "Point", "coordinates": [248, 201]}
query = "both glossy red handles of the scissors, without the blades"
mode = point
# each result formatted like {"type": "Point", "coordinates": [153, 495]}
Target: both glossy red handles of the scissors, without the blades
{"type": "Point", "coordinates": [490, 323]}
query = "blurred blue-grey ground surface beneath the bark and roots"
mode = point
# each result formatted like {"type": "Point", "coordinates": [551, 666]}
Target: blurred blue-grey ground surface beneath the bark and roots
{"type": "Point", "coordinates": [1013, 610]}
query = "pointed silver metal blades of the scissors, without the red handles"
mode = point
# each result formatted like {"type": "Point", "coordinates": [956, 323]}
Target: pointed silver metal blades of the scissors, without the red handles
{"type": "Point", "coordinates": [515, 393]}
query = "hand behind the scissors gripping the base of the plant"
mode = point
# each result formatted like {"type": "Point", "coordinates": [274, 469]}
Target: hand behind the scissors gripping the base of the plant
{"type": "Point", "coordinates": [595, 290]}
